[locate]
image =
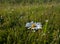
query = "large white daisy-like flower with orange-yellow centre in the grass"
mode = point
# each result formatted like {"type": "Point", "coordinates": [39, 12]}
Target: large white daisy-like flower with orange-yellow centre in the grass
{"type": "Point", "coordinates": [34, 26]}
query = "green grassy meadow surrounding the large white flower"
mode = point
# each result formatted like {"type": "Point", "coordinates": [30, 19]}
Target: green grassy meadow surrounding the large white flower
{"type": "Point", "coordinates": [13, 18]}
